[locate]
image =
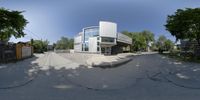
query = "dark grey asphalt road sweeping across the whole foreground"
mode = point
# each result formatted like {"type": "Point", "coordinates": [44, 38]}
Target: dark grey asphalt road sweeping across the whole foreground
{"type": "Point", "coordinates": [146, 77]}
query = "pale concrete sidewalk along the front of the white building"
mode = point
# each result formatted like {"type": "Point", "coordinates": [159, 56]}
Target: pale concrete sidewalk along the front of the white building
{"type": "Point", "coordinates": [98, 60]}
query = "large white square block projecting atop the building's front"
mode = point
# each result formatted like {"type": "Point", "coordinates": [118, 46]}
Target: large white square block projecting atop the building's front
{"type": "Point", "coordinates": [107, 29]}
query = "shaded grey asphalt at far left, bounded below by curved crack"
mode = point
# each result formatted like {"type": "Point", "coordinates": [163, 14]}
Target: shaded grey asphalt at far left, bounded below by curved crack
{"type": "Point", "coordinates": [18, 74]}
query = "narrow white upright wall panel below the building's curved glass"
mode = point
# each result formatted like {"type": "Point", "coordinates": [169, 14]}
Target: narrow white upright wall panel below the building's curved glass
{"type": "Point", "coordinates": [93, 44]}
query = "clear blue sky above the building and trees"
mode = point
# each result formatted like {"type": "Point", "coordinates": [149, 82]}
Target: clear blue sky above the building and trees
{"type": "Point", "coordinates": [51, 19]}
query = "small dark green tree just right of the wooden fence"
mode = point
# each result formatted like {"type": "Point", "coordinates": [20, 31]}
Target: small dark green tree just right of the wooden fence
{"type": "Point", "coordinates": [40, 46]}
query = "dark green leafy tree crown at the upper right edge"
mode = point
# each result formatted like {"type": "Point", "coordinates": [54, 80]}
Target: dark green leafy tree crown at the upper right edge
{"type": "Point", "coordinates": [185, 24]}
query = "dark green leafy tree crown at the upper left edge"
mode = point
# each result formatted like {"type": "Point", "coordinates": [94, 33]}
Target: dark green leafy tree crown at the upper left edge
{"type": "Point", "coordinates": [12, 23]}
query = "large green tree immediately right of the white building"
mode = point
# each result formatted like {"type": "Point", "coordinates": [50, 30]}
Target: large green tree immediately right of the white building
{"type": "Point", "coordinates": [140, 39]}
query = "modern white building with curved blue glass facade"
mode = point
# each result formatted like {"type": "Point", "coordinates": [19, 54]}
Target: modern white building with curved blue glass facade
{"type": "Point", "coordinates": [102, 39]}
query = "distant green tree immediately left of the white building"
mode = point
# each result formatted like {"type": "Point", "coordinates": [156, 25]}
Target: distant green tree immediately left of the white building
{"type": "Point", "coordinates": [65, 43]}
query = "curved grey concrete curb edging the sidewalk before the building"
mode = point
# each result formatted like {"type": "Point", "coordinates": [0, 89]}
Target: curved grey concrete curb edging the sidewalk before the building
{"type": "Point", "coordinates": [113, 64]}
